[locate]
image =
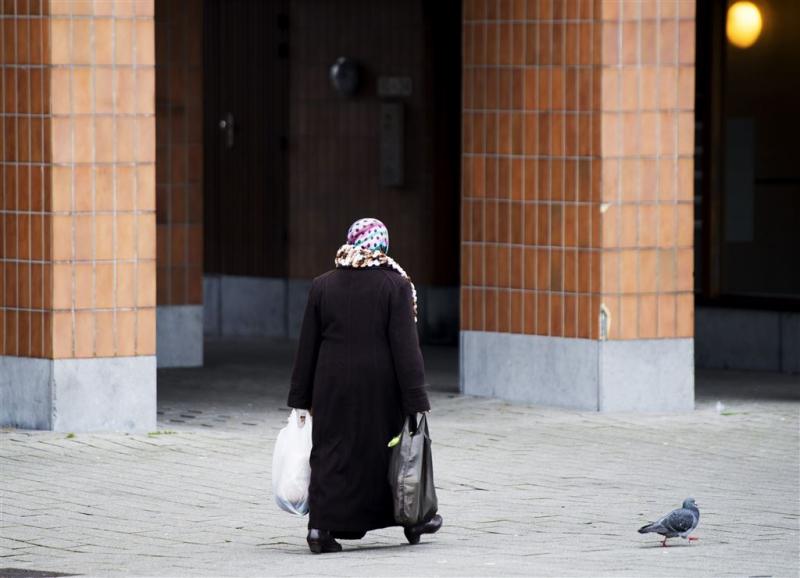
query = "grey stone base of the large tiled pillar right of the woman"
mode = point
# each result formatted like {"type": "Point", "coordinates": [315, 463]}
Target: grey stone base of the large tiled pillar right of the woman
{"type": "Point", "coordinates": [643, 375]}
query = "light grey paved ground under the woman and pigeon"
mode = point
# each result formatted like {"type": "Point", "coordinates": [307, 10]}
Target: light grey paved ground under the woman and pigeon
{"type": "Point", "coordinates": [524, 490]}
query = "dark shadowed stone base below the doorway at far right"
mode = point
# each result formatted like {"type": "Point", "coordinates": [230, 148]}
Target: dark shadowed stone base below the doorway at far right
{"type": "Point", "coordinates": [747, 339]}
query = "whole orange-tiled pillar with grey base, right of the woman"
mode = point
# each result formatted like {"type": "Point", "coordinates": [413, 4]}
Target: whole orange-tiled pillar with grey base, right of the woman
{"type": "Point", "coordinates": [577, 203]}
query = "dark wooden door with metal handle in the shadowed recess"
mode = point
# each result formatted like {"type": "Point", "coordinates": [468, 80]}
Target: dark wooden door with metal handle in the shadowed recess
{"type": "Point", "coordinates": [246, 126]}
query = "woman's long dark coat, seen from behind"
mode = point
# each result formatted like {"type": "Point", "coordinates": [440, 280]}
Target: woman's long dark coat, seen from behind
{"type": "Point", "coordinates": [360, 368]}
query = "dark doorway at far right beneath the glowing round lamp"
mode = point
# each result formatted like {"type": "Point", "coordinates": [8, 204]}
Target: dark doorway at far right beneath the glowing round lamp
{"type": "Point", "coordinates": [747, 176]}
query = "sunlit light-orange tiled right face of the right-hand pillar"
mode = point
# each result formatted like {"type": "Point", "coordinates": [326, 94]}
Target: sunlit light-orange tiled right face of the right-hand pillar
{"type": "Point", "coordinates": [647, 149]}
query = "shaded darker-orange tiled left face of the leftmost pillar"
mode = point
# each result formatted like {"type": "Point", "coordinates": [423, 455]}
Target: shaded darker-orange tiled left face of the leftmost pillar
{"type": "Point", "coordinates": [25, 273]}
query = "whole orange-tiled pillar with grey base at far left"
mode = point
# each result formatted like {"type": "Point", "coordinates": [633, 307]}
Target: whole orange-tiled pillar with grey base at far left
{"type": "Point", "coordinates": [79, 212]}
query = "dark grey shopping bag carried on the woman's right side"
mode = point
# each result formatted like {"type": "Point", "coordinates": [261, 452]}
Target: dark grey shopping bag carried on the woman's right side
{"type": "Point", "coordinates": [411, 475]}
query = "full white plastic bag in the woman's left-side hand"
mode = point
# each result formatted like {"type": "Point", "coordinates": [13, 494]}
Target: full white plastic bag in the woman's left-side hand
{"type": "Point", "coordinates": [291, 470]}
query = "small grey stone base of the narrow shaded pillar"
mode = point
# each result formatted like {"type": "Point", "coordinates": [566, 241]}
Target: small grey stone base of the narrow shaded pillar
{"type": "Point", "coordinates": [180, 335]}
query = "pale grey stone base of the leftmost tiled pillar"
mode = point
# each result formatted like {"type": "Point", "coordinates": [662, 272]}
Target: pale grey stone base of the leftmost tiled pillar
{"type": "Point", "coordinates": [78, 395]}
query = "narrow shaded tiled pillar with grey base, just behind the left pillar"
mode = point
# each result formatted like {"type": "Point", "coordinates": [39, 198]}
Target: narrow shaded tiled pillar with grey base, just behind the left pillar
{"type": "Point", "coordinates": [179, 182]}
